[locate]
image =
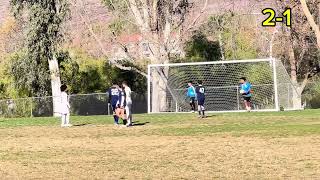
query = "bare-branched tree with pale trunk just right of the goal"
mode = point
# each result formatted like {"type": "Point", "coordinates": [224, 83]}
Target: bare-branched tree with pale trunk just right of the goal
{"type": "Point", "coordinates": [301, 48]}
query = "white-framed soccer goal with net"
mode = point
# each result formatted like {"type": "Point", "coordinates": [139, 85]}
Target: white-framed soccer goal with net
{"type": "Point", "coordinates": [271, 85]}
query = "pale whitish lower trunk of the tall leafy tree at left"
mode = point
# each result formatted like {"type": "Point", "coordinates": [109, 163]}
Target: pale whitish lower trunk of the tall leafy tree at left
{"type": "Point", "coordinates": [55, 85]}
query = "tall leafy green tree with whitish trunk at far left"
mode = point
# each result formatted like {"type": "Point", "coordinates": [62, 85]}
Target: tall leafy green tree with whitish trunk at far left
{"type": "Point", "coordinates": [44, 24]}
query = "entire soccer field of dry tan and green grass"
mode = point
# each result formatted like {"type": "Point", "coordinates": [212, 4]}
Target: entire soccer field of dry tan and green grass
{"type": "Point", "coordinates": [280, 145]}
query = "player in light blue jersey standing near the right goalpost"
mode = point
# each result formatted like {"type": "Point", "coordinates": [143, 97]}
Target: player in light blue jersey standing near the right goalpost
{"type": "Point", "coordinates": [246, 92]}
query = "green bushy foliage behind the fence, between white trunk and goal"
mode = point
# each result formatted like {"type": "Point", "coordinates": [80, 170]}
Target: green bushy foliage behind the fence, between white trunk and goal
{"type": "Point", "coordinates": [86, 74]}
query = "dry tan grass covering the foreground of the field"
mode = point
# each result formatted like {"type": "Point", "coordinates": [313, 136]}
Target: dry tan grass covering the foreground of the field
{"type": "Point", "coordinates": [94, 153]}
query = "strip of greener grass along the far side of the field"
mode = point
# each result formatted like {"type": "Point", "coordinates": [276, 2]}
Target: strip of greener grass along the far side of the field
{"type": "Point", "coordinates": [273, 124]}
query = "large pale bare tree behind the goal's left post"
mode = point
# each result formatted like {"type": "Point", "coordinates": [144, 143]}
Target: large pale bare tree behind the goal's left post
{"type": "Point", "coordinates": [163, 24]}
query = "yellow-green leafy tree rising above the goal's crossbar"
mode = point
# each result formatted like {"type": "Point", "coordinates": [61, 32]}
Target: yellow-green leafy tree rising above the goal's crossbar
{"type": "Point", "coordinates": [234, 34]}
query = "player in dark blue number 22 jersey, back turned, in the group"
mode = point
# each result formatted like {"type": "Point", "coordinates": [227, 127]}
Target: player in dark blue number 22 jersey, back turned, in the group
{"type": "Point", "coordinates": [114, 94]}
